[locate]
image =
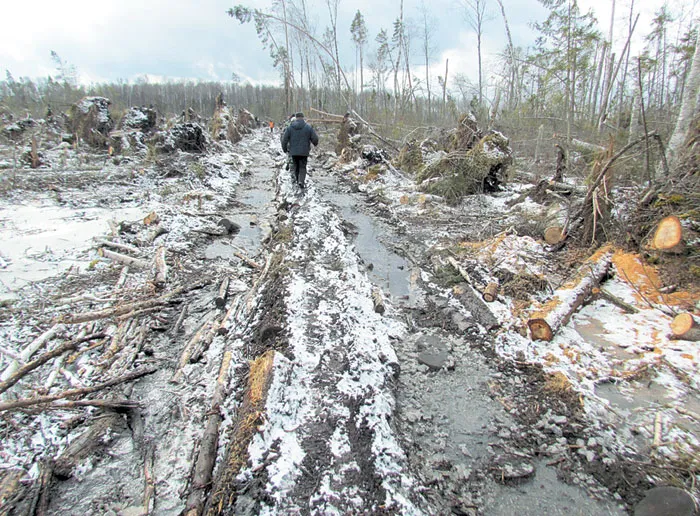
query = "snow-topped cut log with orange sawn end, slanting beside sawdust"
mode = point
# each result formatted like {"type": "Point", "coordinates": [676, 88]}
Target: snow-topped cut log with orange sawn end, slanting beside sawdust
{"type": "Point", "coordinates": [554, 314]}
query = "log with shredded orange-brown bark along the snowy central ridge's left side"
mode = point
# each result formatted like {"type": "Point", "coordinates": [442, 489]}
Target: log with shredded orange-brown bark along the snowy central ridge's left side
{"type": "Point", "coordinates": [224, 491]}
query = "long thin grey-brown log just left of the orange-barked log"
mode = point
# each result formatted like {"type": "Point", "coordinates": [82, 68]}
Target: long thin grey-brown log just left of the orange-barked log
{"type": "Point", "coordinates": [206, 458]}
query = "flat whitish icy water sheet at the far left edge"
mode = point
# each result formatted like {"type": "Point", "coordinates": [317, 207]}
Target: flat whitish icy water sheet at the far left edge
{"type": "Point", "coordinates": [39, 240]}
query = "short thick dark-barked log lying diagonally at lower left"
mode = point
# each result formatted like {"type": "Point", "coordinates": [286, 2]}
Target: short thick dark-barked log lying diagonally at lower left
{"type": "Point", "coordinates": [95, 438]}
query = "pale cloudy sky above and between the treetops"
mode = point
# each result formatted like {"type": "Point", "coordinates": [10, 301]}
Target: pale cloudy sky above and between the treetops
{"type": "Point", "coordinates": [109, 40]}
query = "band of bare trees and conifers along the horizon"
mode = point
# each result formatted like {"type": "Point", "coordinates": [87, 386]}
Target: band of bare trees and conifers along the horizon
{"type": "Point", "coordinates": [570, 86]}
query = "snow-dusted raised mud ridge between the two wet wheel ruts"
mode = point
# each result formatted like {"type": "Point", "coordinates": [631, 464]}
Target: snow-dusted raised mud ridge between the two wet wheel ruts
{"type": "Point", "coordinates": [327, 444]}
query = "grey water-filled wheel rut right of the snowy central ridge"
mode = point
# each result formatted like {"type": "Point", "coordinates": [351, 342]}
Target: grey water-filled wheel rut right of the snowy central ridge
{"type": "Point", "coordinates": [453, 424]}
